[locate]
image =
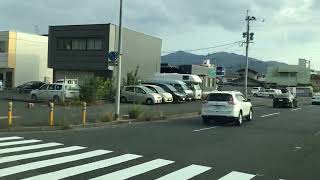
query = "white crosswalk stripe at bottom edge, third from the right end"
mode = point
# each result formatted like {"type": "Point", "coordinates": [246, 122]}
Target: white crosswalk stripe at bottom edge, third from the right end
{"type": "Point", "coordinates": [134, 170]}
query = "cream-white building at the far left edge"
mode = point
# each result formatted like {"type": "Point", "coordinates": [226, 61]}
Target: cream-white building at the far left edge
{"type": "Point", "coordinates": [23, 58]}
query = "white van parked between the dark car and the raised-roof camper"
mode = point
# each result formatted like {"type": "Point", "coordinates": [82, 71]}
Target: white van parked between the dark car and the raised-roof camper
{"type": "Point", "coordinates": [178, 85]}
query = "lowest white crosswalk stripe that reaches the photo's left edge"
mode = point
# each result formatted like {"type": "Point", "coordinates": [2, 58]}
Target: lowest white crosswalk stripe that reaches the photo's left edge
{"type": "Point", "coordinates": [50, 162]}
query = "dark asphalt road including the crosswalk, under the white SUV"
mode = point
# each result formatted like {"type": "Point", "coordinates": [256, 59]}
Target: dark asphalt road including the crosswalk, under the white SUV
{"type": "Point", "coordinates": [277, 144]}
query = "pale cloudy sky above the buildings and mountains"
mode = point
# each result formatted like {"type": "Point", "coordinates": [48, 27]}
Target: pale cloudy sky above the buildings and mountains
{"type": "Point", "coordinates": [290, 30]}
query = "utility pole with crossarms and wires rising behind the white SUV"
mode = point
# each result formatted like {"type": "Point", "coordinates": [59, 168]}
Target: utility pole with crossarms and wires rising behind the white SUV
{"type": "Point", "coordinates": [249, 37]}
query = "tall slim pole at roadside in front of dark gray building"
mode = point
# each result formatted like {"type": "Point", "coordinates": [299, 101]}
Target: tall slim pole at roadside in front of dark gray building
{"type": "Point", "coordinates": [117, 102]}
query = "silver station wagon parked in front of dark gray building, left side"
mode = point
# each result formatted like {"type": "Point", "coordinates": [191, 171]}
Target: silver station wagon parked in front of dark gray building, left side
{"type": "Point", "coordinates": [55, 92]}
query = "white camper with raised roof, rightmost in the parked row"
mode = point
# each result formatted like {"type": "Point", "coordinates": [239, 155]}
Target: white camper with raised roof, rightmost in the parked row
{"type": "Point", "coordinates": [193, 81]}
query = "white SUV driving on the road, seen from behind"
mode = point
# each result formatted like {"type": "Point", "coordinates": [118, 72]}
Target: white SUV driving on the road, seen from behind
{"type": "Point", "coordinates": [226, 104]}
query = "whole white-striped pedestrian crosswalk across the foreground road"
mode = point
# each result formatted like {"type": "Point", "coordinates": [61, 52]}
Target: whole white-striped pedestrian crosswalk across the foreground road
{"type": "Point", "coordinates": [35, 154]}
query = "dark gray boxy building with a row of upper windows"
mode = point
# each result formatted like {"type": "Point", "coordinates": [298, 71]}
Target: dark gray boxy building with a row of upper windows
{"type": "Point", "coordinates": [80, 51]}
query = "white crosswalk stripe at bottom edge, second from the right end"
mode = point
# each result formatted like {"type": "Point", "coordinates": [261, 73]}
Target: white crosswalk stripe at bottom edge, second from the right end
{"type": "Point", "coordinates": [186, 173]}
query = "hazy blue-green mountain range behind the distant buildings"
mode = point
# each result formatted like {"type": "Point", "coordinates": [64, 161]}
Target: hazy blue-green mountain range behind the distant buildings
{"type": "Point", "coordinates": [230, 61]}
